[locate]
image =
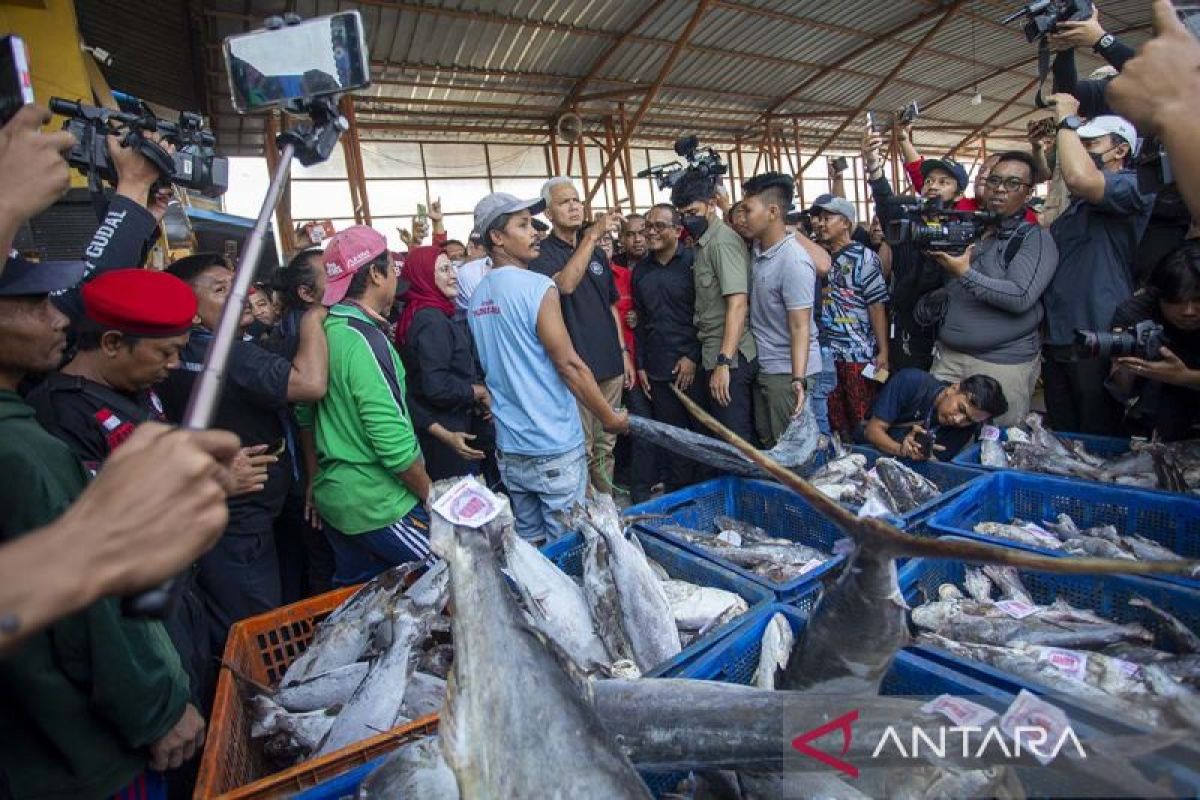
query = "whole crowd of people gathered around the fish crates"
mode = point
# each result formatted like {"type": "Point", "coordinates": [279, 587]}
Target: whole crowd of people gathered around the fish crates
{"type": "Point", "coordinates": [362, 376]}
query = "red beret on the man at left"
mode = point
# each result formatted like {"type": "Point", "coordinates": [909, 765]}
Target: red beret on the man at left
{"type": "Point", "coordinates": [140, 303]}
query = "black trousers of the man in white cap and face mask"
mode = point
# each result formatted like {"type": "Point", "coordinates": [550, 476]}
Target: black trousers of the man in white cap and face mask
{"type": "Point", "coordinates": [1077, 401]}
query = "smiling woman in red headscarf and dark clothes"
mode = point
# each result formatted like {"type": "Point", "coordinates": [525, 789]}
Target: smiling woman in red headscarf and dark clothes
{"type": "Point", "coordinates": [446, 392]}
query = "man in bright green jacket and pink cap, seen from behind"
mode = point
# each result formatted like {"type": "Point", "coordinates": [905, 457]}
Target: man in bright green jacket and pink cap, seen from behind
{"type": "Point", "coordinates": [370, 485]}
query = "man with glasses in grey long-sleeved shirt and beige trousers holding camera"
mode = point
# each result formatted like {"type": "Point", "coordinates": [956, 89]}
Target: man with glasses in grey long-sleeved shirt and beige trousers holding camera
{"type": "Point", "coordinates": [994, 296]}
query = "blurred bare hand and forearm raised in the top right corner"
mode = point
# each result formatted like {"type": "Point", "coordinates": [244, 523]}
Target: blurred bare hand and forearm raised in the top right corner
{"type": "Point", "coordinates": [1159, 91]}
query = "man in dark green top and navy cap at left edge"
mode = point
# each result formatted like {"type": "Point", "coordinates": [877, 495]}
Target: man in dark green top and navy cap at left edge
{"type": "Point", "coordinates": [93, 701]}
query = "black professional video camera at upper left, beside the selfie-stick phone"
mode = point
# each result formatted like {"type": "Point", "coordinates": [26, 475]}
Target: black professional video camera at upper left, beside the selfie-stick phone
{"type": "Point", "coordinates": [194, 165]}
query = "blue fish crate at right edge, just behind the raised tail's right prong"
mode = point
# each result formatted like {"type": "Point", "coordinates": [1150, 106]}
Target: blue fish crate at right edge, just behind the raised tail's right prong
{"type": "Point", "coordinates": [1169, 519]}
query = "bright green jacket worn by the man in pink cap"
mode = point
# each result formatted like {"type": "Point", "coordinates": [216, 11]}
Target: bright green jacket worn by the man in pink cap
{"type": "Point", "coordinates": [363, 429]}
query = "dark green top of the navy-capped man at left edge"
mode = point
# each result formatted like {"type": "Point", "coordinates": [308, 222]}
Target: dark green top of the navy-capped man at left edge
{"type": "Point", "coordinates": [81, 701]}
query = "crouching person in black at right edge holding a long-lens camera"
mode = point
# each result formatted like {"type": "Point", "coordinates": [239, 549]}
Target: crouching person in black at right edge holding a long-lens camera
{"type": "Point", "coordinates": [1166, 387]}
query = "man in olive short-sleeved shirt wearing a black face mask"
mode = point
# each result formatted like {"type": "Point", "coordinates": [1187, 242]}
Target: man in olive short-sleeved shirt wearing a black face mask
{"type": "Point", "coordinates": [723, 292]}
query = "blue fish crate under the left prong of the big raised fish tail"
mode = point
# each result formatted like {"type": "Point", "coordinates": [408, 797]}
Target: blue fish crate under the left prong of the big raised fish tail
{"type": "Point", "coordinates": [771, 507]}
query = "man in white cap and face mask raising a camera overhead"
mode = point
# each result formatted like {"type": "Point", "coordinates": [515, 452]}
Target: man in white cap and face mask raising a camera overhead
{"type": "Point", "coordinates": [1099, 236]}
